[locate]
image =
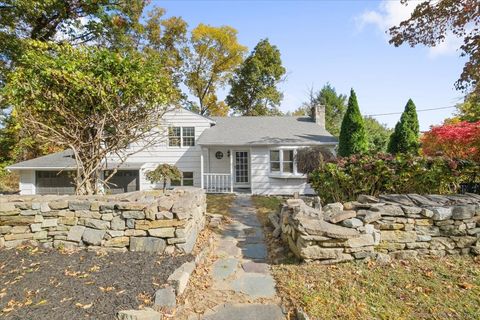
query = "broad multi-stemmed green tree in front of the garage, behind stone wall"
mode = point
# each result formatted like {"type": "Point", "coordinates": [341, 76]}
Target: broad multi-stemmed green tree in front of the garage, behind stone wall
{"type": "Point", "coordinates": [91, 100]}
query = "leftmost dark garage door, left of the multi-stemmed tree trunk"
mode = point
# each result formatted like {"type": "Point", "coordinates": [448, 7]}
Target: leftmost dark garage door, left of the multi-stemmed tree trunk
{"type": "Point", "coordinates": [54, 182]}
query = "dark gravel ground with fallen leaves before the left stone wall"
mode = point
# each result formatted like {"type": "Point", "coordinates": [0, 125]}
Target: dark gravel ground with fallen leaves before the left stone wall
{"type": "Point", "coordinates": [49, 284]}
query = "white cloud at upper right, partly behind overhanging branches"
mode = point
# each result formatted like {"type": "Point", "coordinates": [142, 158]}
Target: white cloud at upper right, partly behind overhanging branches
{"type": "Point", "coordinates": [391, 13]}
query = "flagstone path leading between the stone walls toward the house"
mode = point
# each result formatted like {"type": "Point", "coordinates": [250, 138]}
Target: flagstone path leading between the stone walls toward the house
{"type": "Point", "coordinates": [241, 268]}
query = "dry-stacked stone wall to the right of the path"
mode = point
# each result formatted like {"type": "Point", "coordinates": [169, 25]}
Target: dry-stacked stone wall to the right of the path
{"type": "Point", "coordinates": [398, 226]}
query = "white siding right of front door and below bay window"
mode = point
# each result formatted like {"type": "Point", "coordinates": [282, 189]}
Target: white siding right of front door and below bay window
{"type": "Point", "coordinates": [263, 183]}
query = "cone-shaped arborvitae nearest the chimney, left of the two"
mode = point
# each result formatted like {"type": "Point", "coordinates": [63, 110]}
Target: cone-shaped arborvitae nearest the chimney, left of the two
{"type": "Point", "coordinates": [353, 137]}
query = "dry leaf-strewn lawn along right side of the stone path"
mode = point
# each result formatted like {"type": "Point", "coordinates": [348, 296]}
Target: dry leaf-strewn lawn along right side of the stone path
{"type": "Point", "coordinates": [430, 288]}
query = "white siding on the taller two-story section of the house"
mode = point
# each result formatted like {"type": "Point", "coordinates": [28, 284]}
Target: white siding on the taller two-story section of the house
{"type": "Point", "coordinates": [187, 159]}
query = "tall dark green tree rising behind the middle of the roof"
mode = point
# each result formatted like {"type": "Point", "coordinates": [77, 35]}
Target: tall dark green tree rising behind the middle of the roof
{"type": "Point", "coordinates": [254, 89]}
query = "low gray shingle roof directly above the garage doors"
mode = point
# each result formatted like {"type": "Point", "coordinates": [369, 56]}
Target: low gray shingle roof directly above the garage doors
{"type": "Point", "coordinates": [62, 160]}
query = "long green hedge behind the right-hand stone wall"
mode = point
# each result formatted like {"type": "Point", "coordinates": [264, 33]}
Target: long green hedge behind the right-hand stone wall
{"type": "Point", "coordinates": [346, 178]}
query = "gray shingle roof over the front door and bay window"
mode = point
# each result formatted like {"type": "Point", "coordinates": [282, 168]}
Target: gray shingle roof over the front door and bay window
{"type": "Point", "coordinates": [266, 131]}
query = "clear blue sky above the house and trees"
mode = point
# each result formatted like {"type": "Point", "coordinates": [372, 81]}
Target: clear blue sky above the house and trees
{"type": "Point", "coordinates": [344, 43]}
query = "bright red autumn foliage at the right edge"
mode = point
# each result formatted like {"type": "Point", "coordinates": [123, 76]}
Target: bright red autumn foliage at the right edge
{"type": "Point", "coordinates": [457, 140]}
